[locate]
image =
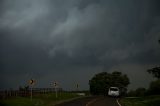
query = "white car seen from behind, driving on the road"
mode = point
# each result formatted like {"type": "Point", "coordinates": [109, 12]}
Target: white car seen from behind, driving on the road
{"type": "Point", "coordinates": [114, 91]}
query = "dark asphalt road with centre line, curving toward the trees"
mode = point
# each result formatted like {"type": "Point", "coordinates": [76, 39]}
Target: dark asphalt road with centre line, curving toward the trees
{"type": "Point", "coordinates": [92, 101]}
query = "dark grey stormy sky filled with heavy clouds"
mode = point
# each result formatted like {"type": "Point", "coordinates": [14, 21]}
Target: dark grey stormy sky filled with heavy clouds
{"type": "Point", "coordinates": [69, 41]}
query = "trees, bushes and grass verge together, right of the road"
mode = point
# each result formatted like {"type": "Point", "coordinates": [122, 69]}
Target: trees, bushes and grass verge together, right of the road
{"type": "Point", "coordinates": [145, 97]}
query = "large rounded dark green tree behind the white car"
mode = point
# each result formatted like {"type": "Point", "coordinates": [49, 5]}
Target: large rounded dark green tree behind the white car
{"type": "Point", "coordinates": [101, 82]}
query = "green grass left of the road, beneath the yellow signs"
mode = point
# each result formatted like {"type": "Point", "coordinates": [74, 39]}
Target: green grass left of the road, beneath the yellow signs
{"type": "Point", "coordinates": [38, 100]}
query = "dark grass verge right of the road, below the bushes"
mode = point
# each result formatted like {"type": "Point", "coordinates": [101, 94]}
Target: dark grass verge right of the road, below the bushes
{"type": "Point", "coordinates": [141, 101]}
